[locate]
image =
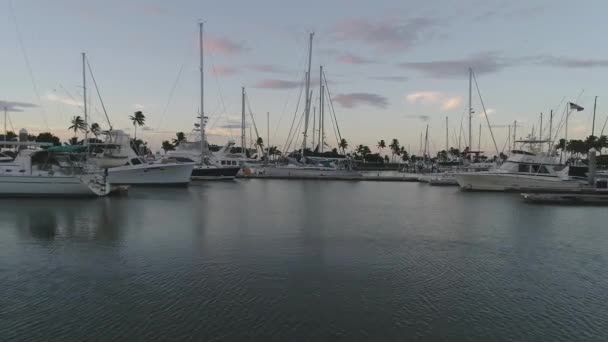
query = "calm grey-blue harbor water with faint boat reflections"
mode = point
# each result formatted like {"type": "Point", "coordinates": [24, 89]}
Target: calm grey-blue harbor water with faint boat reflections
{"type": "Point", "coordinates": [302, 260]}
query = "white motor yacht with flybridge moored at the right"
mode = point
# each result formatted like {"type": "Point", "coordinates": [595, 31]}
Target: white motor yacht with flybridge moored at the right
{"type": "Point", "coordinates": [525, 170]}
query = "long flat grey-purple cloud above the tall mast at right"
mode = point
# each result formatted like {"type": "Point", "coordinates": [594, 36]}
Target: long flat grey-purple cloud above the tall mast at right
{"type": "Point", "coordinates": [482, 63]}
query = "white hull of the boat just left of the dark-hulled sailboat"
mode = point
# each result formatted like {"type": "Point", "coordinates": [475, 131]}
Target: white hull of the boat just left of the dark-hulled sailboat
{"type": "Point", "coordinates": [151, 174]}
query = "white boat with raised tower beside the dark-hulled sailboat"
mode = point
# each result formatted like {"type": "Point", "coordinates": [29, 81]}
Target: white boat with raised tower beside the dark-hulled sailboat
{"type": "Point", "coordinates": [137, 171]}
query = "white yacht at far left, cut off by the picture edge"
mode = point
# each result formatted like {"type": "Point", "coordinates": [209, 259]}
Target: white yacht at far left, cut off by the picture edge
{"type": "Point", "coordinates": [30, 171]}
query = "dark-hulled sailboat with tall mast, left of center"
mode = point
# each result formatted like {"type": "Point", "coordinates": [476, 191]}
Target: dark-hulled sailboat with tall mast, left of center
{"type": "Point", "coordinates": [207, 166]}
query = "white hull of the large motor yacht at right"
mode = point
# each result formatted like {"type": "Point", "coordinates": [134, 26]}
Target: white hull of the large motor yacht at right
{"type": "Point", "coordinates": [513, 182]}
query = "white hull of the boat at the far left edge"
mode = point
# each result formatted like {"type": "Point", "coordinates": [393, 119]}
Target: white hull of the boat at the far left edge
{"type": "Point", "coordinates": [47, 186]}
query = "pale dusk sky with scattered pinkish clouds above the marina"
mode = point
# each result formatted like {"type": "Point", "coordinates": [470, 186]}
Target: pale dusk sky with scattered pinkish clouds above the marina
{"type": "Point", "coordinates": [393, 67]}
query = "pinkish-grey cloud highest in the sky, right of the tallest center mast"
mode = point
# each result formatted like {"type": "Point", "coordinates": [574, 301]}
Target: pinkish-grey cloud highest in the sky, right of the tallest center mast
{"type": "Point", "coordinates": [387, 35]}
